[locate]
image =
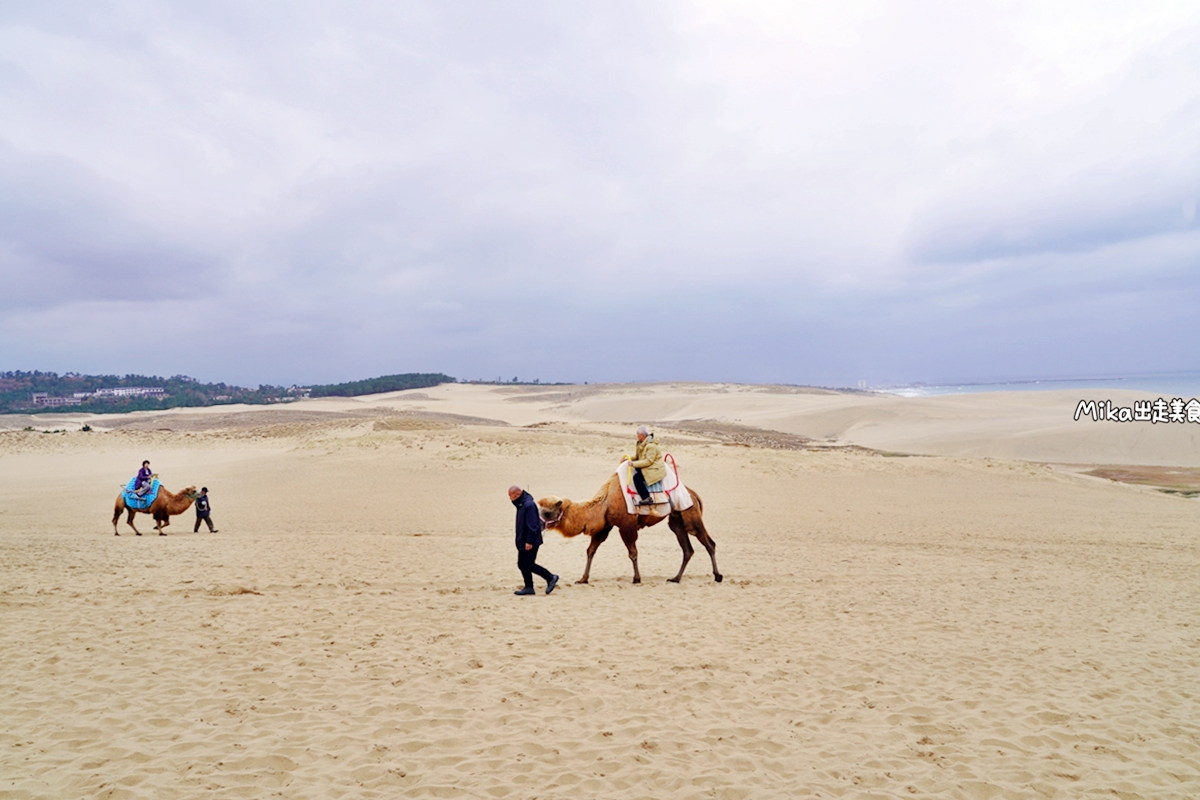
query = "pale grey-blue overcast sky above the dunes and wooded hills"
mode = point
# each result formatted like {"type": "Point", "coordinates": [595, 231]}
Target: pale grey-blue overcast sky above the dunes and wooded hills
{"type": "Point", "coordinates": [785, 193]}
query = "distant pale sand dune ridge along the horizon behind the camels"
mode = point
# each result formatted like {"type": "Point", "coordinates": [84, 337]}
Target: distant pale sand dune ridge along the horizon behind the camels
{"type": "Point", "coordinates": [1025, 426]}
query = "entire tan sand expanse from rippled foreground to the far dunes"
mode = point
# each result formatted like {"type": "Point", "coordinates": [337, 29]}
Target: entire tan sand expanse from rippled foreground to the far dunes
{"type": "Point", "coordinates": [941, 627]}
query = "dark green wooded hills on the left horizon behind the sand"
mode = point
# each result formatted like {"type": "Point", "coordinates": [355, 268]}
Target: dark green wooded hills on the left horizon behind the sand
{"type": "Point", "coordinates": [19, 388]}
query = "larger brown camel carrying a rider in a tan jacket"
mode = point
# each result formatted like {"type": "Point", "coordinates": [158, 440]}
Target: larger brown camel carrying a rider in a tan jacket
{"type": "Point", "coordinates": [608, 510]}
